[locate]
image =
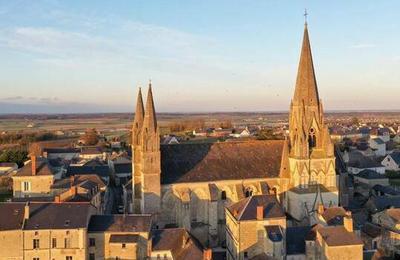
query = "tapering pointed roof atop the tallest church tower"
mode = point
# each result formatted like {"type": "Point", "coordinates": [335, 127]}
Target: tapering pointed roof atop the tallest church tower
{"type": "Point", "coordinates": [306, 85]}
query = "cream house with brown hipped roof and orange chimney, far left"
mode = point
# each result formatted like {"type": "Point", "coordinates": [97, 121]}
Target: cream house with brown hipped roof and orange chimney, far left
{"type": "Point", "coordinates": [34, 179]}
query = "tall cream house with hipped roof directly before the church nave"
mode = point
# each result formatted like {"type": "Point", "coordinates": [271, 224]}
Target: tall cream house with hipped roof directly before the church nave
{"type": "Point", "coordinates": [255, 225]}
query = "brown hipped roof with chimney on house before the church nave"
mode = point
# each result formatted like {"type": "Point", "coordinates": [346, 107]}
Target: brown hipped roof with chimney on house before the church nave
{"type": "Point", "coordinates": [246, 209]}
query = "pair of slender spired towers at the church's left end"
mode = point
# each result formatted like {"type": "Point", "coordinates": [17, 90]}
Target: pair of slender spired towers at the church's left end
{"type": "Point", "coordinates": [146, 157]}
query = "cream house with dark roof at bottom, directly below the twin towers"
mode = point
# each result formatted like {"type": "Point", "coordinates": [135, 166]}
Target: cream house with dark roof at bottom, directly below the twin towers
{"type": "Point", "coordinates": [119, 237]}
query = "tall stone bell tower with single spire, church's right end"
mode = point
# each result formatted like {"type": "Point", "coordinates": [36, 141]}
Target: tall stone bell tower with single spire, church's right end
{"type": "Point", "coordinates": [309, 149]}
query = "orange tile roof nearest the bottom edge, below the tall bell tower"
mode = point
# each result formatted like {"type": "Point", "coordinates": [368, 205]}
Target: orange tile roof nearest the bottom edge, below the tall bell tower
{"type": "Point", "coordinates": [339, 236]}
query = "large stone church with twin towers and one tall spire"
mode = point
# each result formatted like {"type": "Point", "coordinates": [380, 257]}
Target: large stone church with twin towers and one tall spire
{"type": "Point", "coordinates": [190, 185]}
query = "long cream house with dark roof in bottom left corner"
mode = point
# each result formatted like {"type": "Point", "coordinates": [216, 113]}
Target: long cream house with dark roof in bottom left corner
{"type": "Point", "coordinates": [44, 230]}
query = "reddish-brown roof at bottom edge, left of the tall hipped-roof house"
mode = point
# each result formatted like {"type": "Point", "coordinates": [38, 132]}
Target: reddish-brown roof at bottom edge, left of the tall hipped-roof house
{"type": "Point", "coordinates": [182, 245]}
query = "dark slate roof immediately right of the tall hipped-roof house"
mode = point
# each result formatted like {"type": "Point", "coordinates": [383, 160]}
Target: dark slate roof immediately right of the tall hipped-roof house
{"type": "Point", "coordinates": [295, 240]}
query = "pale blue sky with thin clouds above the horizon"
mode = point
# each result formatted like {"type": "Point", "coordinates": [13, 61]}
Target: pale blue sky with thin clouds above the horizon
{"type": "Point", "coordinates": [201, 56]}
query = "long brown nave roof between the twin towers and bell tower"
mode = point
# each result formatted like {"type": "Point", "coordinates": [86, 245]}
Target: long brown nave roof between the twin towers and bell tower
{"type": "Point", "coordinates": [206, 162]}
